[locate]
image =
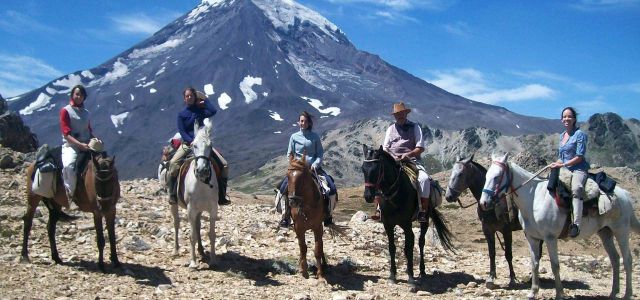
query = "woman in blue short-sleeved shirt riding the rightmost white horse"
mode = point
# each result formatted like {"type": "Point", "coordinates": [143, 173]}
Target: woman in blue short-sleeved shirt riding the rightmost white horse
{"type": "Point", "coordinates": [571, 154]}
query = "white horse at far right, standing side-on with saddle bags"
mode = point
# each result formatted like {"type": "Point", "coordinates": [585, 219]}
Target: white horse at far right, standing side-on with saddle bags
{"type": "Point", "coordinates": [543, 221]}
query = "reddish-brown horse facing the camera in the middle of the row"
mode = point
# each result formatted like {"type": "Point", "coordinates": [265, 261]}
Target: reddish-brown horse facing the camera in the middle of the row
{"type": "Point", "coordinates": [307, 212]}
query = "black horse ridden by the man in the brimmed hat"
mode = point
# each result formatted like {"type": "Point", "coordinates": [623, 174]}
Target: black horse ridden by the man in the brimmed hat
{"type": "Point", "coordinates": [398, 206]}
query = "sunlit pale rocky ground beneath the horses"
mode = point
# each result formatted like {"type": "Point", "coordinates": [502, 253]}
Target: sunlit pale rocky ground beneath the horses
{"type": "Point", "coordinates": [256, 260]}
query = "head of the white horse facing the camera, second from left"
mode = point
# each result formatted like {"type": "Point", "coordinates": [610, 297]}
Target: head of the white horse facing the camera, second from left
{"type": "Point", "coordinates": [201, 146]}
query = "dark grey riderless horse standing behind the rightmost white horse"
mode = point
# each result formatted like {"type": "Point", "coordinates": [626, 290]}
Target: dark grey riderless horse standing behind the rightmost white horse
{"type": "Point", "coordinates": [469, 174]}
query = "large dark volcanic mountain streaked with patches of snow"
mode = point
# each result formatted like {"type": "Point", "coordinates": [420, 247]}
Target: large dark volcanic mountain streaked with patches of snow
{"type": "Point", "coordinates": [262, 63]}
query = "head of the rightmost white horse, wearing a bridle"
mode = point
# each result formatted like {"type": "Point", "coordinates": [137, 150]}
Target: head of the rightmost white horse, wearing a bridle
{"type": "Point", "coordinates": [497, 182]}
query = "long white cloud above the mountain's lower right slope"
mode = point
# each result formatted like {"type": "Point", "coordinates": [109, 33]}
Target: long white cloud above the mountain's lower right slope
{"type": "Point", "coordinates": [471, 83]}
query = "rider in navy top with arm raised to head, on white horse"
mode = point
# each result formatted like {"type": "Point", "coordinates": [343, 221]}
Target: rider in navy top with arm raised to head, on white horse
{"type": "Point", "coordinates": [198, 108]}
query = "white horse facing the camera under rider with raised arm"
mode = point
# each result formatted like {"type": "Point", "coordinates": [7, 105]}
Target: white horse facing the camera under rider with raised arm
{"type": "Point", "coordinates": [200, 194]}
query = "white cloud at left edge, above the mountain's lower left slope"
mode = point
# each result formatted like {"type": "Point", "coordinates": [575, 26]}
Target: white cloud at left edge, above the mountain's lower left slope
{"type": "Point", "coordinates": [20, 74]}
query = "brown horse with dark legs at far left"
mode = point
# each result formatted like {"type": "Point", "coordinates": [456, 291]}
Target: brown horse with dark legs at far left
{"type": "Point", "coordinates": [97, 192]}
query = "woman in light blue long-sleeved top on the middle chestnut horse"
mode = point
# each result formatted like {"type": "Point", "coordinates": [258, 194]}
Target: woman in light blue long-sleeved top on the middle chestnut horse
{"type": "Point", "coordinates": [308, 141]}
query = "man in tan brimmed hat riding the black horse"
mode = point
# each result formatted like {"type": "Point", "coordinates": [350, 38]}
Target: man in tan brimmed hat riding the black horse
{"type": "Point", "coordinates": [403, 140]}
